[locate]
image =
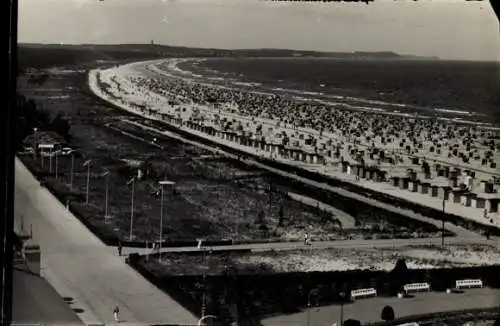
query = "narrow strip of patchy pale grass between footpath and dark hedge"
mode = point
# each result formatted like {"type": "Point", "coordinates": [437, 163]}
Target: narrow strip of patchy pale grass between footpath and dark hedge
{"type": "Point", "coordinates": [327, 260]}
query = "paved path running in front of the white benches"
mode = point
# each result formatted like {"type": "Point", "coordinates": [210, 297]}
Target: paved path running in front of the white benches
{"type": "Point", "coordinates": [368, 310]}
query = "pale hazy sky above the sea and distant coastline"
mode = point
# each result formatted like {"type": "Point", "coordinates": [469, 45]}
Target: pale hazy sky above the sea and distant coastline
{"type": "Point", "coordinates": [449, 29]}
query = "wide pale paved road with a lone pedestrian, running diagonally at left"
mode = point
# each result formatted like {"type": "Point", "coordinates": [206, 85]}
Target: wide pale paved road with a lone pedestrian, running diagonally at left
{"type": "Point", "coordinates": [79, 265]}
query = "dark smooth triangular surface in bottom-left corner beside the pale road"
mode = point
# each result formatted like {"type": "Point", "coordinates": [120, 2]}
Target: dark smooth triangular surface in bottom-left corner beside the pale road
{"type": "Point", "coordinates": [35, 301]}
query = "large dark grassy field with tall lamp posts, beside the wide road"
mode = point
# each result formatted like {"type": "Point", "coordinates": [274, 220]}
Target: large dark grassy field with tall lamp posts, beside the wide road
{"type": "Point", "coordinates": [214, 198]}
